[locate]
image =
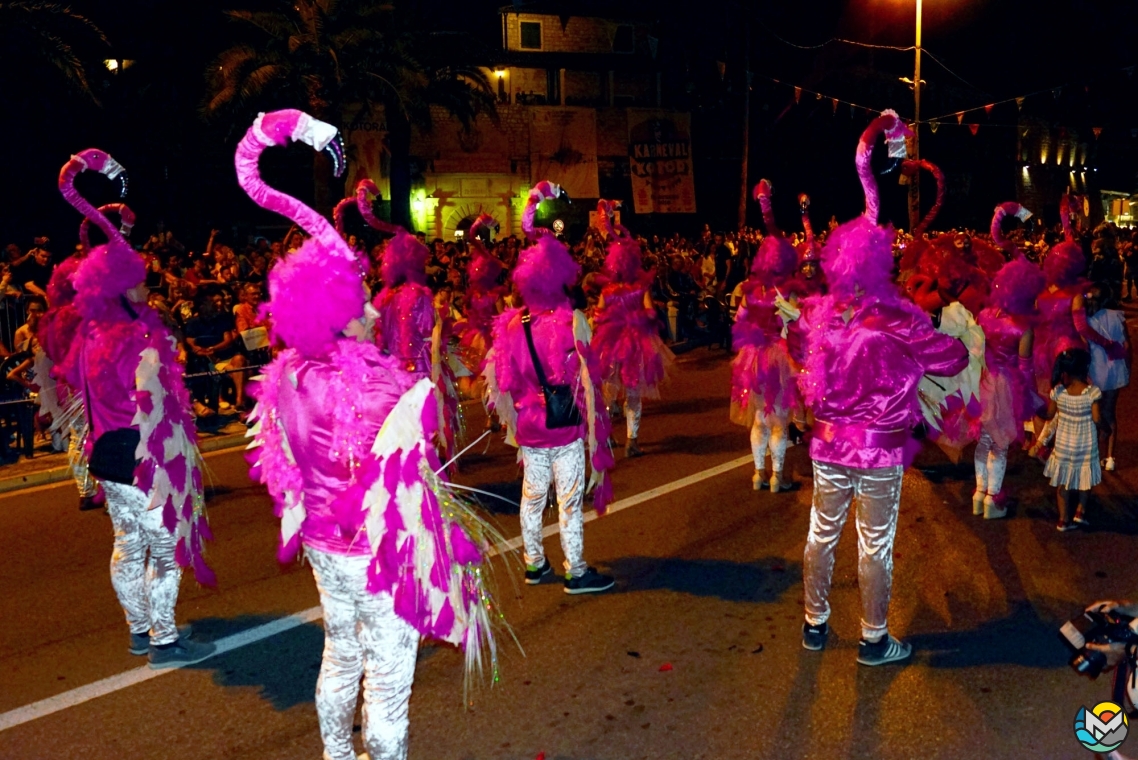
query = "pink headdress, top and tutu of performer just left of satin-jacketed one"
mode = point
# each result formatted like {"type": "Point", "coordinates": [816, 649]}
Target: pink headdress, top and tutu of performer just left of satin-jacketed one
{"type": "Point", "coordinates": [763, 379]}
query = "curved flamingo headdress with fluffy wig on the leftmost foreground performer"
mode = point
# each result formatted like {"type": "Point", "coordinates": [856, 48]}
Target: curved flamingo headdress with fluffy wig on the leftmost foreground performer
{"type": "Point", "coordinates": [111, 270]}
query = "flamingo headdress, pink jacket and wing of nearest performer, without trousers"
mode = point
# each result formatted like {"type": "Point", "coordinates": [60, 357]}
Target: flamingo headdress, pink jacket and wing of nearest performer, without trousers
{"type": "Point", "coordinates": [342, 432]}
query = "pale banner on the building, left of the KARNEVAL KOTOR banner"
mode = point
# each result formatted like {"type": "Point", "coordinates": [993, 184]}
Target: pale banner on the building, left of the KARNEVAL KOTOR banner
{"type": "Point", "coordinates": [563, 150]}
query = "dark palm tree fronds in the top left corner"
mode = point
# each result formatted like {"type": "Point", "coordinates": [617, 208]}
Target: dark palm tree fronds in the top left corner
{"type": "Point", "coordinates": [47, 34]}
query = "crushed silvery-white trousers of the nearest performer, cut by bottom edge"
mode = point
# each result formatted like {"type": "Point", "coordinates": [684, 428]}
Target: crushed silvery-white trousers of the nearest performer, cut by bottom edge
{"type": "Point", "coordinates": [364, 639]}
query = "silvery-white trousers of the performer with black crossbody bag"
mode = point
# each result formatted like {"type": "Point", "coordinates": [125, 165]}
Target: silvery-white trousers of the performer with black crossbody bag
{"type": "Point", "coordinates": [565, 467]}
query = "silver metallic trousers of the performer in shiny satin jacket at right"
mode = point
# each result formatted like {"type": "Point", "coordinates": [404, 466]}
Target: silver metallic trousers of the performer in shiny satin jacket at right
{"type": "Point", "coordinates": [879, 498]}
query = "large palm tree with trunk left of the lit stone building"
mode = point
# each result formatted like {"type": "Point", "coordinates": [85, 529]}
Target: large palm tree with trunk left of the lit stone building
{"type": "Point", "coordinates": [333, 57]}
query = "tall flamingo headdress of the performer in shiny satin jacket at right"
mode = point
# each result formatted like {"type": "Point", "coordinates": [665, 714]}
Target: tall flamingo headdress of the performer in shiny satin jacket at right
{"type": "Point", "coordinates": [859, 258]}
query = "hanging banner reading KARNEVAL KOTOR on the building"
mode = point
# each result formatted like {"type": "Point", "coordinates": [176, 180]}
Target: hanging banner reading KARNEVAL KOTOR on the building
{"type": "Point", "coordinates": [661, 158]}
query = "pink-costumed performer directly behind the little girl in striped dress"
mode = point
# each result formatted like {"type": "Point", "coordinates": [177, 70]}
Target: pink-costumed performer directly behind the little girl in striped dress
{"type": "Point", "coordinates": [1062, 319]}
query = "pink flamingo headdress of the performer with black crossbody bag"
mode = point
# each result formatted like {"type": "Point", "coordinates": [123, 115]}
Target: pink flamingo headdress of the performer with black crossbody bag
{"type": "Point", "coordinates": [545, 270]}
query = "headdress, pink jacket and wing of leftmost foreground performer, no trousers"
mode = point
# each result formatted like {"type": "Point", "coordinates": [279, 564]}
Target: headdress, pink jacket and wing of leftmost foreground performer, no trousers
{"type": "Point", "coordinates": [125, 362]}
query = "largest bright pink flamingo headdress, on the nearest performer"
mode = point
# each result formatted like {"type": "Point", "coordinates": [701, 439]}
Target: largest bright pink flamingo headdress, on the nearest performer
{"type": "Point", "coordinates": [317, 291]}
